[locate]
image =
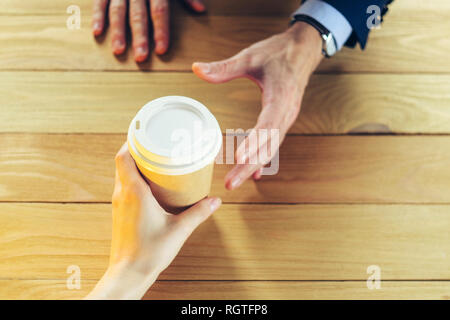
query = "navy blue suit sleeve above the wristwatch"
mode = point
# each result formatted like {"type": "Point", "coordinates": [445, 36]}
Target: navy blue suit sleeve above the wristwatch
{"type": "Point", "coordinates": [355, 11]}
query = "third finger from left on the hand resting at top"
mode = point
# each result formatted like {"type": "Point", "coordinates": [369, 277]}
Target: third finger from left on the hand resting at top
{"type": "Point", "coordinates": [139, 29]}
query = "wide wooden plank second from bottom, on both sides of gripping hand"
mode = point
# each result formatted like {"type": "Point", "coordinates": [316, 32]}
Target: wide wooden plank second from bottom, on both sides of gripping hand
{"type": "Point", "coordinates": [240, 242]}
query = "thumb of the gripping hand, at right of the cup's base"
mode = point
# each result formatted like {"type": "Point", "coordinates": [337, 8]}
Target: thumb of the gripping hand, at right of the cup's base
{"type": "Point", "coordinates": [194, 216]}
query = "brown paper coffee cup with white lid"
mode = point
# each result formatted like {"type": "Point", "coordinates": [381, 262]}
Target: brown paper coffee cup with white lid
{"type": "Point", "coordinates": [174, 141]}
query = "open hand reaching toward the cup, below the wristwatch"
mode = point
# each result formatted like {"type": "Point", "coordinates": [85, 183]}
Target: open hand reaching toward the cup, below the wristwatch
{"type": "Point", "coordinates": [281, 66]}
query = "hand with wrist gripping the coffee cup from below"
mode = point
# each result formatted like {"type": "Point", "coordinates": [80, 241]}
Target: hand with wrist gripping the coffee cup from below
{"type": "Point", "coordinates": [145, 238]}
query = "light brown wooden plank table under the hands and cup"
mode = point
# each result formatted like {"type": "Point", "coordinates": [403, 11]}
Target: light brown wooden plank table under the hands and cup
{"type": "Point", "coordinates": [364, 178]}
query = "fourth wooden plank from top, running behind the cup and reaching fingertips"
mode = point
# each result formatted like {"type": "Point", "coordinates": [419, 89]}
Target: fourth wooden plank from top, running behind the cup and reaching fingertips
{"type": "Point", "coordinates": [324, 169]}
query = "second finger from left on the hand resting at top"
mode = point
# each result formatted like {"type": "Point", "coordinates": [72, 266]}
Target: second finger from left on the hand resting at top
{"type": "Point", "coordinates": [117, 13]}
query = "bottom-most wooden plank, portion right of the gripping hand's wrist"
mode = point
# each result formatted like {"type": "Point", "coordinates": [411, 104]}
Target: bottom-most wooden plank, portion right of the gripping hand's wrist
{"type": "Point", "coordinates": [292, 290]}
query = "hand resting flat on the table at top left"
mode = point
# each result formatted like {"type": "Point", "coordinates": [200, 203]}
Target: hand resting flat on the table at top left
{"type": "Point", "coordinates": [138, 19]}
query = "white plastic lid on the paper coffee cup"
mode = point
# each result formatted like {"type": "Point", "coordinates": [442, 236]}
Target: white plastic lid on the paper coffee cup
{"type": "Point", "coordinates": [174, 135]}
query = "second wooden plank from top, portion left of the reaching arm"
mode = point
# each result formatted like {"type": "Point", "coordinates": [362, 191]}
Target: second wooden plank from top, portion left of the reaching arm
{"type": "Point", "coordinates": [46, 43]}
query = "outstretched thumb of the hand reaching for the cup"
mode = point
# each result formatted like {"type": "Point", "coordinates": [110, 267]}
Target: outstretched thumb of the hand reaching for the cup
{"type": "Point", "coordinates": [222, 71]}
